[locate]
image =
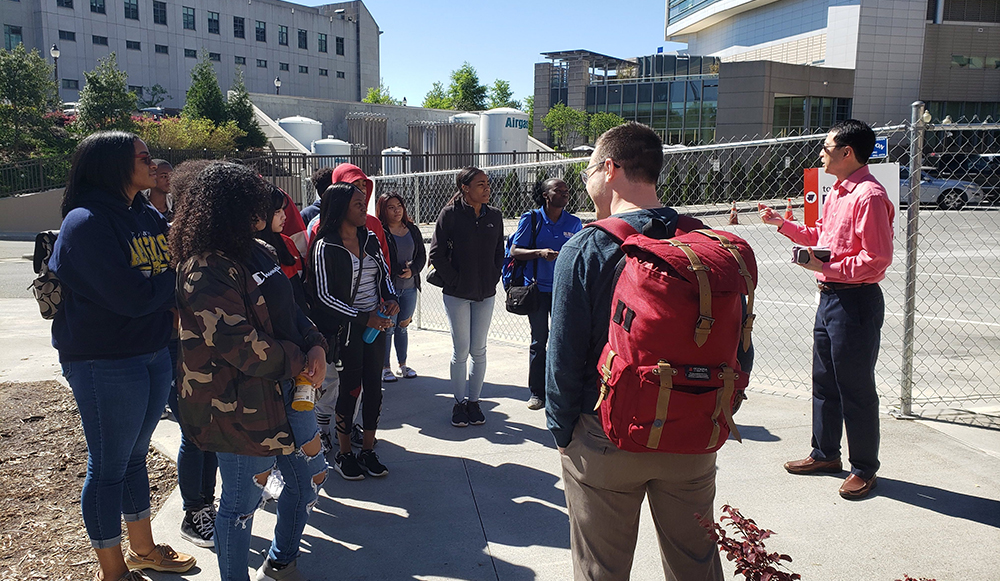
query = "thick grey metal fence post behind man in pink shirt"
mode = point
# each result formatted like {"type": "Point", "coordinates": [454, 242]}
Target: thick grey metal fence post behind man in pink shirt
{"type": "Point", "coordinates": [917, 130]}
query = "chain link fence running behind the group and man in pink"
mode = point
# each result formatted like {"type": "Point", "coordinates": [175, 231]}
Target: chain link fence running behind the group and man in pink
{"type": "Point", "coordinates": [939, 350]}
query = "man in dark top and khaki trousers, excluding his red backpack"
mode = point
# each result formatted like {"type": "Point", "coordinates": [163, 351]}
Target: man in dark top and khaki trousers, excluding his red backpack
{"type": "Point", "coordinates": [605, 486]}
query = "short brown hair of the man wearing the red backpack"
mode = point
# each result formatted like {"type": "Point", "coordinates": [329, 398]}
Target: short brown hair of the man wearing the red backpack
{"type": "Point", "coordinates": [636, 148]}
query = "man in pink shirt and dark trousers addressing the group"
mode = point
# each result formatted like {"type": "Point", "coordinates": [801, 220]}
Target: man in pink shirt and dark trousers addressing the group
{"type": "Point", "coordinates": [857, 228]}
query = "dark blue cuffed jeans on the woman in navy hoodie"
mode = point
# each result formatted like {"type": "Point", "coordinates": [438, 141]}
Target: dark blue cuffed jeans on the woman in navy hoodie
{"type": "Point", "coordinates": [120, 403]}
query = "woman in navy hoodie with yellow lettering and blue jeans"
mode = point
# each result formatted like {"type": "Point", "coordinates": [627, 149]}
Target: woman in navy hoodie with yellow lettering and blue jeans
{"type": "Point", "coordinates": [111, 334]}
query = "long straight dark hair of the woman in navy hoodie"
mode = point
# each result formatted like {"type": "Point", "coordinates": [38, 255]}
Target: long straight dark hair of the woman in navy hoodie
{"type": "Point", "coordinates": [104, 161]}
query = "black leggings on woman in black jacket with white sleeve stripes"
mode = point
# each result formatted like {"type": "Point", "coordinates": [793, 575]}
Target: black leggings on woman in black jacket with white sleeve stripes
{"type": "Point", "coordinates": [362, 374]}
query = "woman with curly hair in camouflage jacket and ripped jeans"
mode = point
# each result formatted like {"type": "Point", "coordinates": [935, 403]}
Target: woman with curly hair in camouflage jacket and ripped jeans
{"type": "Point", "coordinates": [243, 340]}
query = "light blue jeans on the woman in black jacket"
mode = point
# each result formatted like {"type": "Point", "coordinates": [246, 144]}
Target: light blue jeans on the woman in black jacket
{"type": "Point", "coordinates": [470, 322]}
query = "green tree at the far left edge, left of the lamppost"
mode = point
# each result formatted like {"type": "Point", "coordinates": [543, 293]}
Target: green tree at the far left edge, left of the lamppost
{"type": "Point", "coordinates": [27, 93]}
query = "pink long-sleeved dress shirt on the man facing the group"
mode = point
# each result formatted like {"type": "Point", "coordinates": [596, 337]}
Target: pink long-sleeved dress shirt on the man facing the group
{"type": "Point", "coordinates": [857, 228]}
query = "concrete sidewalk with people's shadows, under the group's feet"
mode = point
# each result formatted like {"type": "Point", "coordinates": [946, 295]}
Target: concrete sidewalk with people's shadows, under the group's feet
{"type": "Point", "coordinates": [486, 502]}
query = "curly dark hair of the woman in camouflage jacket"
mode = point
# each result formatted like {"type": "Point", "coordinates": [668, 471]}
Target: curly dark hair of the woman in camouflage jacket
{"type": "Point", "coordinates": [219, 213]}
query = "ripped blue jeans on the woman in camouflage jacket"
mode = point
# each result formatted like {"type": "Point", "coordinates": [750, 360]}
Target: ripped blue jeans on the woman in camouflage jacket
{"type": "Point", "coordinates": [242, 495]}
